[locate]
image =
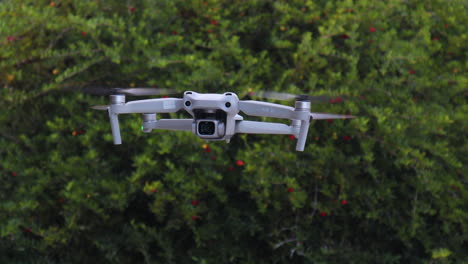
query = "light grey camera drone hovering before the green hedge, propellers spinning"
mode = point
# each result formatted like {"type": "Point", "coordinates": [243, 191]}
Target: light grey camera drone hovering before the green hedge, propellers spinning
{"type": "Point", "coordinates": [214, 116]}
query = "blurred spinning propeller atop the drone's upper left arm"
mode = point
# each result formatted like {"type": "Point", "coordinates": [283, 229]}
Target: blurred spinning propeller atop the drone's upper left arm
{"type": "Point", "coordinates": [127, 91]}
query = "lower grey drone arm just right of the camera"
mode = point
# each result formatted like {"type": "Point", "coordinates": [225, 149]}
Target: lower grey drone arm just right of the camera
{"type": "Point", "coordinates": [254, 127]}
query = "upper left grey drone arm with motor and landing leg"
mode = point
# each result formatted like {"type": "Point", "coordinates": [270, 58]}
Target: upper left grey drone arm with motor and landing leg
{"type": "Point", "coordinates": [118, 106]}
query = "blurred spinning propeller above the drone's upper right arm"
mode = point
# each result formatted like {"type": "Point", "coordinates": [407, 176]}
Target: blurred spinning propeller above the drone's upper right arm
{"type": "Point", "coordinates": [303, 97]}
